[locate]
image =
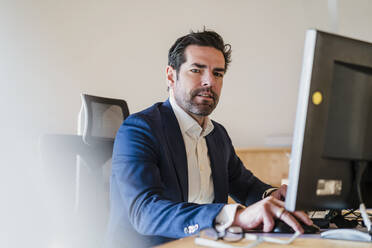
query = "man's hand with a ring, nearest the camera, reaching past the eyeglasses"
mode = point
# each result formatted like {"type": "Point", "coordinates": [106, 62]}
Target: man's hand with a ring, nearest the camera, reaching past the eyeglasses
{"type": "Point", "coordinates": [262, 215]}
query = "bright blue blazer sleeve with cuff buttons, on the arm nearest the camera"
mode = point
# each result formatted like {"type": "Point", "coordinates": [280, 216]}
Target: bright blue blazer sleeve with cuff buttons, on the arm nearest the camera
{"type": "Point", "coordinates": [136, 174]}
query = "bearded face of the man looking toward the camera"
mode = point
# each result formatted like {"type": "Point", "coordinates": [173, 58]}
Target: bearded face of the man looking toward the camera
{"type": "Point", "coordinates": [197, 87]}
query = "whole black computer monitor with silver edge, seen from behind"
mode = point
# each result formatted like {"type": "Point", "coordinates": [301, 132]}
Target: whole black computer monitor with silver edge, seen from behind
{"type": "Point", "coordinates": [333, 128]}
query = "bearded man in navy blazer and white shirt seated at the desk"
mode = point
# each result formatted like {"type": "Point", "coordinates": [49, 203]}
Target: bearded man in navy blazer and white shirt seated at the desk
{"type": "Point", "coordinates": [173, 168]}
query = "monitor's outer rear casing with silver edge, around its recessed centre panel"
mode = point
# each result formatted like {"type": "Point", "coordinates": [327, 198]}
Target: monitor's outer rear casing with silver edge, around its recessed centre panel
{"type": "Point", "coordinates": [307, 164]}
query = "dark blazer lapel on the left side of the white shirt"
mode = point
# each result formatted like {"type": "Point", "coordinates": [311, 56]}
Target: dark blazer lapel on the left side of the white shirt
{"type": "Point", "coordinates": [176, 145]}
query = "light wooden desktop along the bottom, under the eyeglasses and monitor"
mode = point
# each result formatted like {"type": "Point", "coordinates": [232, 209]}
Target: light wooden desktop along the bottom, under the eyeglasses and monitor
{"type": "Point", "coordinates": [302, 241]}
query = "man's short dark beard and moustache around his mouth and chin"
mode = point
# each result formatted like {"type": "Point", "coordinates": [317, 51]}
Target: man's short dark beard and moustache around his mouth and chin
{"type": "Point", "coordinates": [203, 107]}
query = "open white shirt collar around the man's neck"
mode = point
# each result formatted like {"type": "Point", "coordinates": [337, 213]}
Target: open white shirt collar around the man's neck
{"type": "Point", "coordinates": [187, 124]}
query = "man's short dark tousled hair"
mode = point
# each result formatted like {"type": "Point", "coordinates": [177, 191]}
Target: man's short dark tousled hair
{"type": "Point", "coordinates": [176, 54]}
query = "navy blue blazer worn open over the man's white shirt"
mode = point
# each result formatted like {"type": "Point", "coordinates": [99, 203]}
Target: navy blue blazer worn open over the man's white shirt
{"type": "Point", "coordinates": [149, 182]}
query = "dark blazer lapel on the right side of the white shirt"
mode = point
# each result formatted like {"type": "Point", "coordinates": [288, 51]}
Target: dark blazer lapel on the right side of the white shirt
{"type": "Point", "coordinates": [219, 173]}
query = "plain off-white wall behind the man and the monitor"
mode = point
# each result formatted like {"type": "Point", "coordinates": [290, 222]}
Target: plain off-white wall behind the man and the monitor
{"type": "Point", "coordinates": [51, 51]}
